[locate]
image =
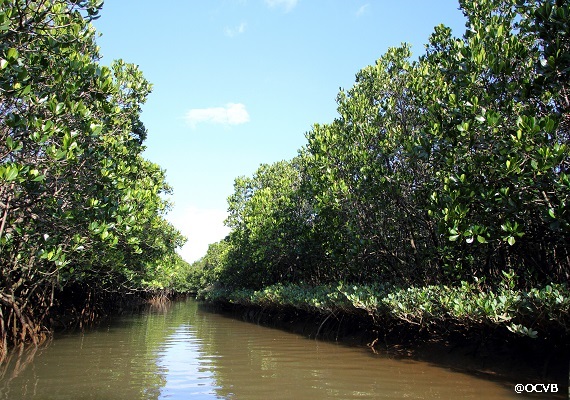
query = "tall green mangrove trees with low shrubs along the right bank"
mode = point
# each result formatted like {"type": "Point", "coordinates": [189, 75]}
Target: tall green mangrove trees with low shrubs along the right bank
{"type": "Point", "coordinates": [439, 194]}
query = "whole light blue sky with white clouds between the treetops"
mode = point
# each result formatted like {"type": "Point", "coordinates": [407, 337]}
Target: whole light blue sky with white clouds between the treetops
{"type": "Point", "coordinates": [238, 83]}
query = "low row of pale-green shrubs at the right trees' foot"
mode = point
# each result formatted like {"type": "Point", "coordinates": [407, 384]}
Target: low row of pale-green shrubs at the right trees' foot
{"type": "Point", "coordinates": [437, 308]}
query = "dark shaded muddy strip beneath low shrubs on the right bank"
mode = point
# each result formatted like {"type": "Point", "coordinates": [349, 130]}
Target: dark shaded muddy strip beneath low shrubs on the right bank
{"type": "Point", "coordinates": [495, 354]}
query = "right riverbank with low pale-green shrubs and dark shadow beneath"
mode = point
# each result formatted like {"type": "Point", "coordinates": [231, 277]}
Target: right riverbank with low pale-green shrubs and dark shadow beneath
{"type": "Point", "coordinates": [481, 342]}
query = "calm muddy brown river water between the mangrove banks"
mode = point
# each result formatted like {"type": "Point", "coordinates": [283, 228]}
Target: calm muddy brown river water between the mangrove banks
{"type": "Point", "coordinates": [185, 352]}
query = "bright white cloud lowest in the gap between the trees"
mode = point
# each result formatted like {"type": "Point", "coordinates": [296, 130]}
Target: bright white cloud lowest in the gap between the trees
{"type": "Point", "coordinates": [201, 227]}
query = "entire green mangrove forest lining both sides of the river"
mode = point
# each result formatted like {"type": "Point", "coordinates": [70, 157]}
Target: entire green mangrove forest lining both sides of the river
{"type": "Point", "coordinates": [438, 197]}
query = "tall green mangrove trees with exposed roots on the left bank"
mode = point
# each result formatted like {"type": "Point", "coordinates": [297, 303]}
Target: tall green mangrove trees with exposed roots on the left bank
{"type": "Point", "coordinates": [80, 208]}
